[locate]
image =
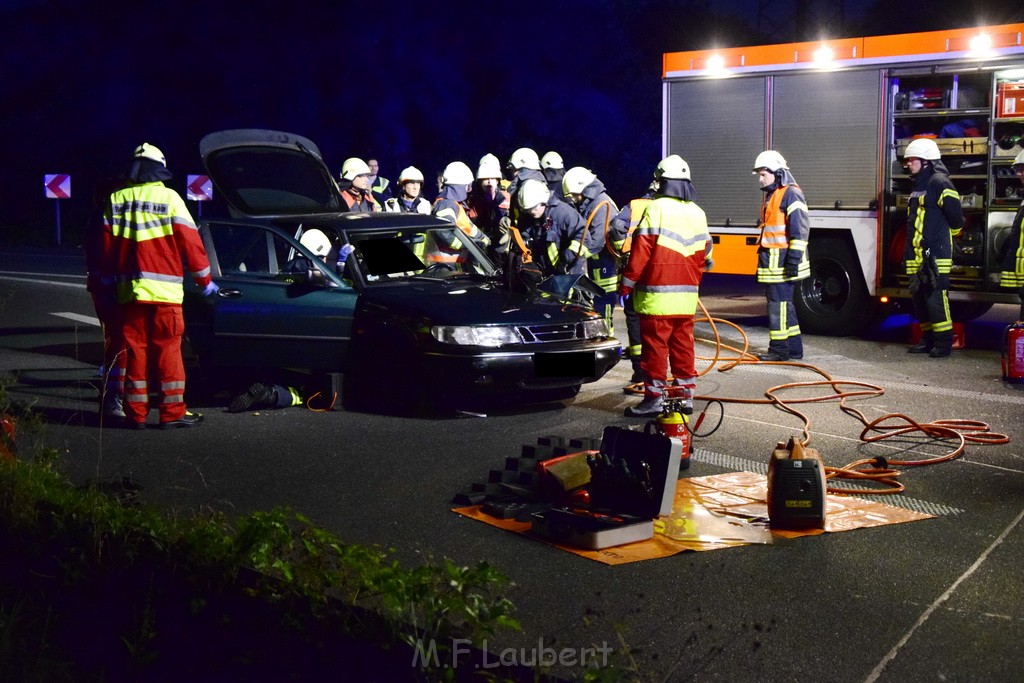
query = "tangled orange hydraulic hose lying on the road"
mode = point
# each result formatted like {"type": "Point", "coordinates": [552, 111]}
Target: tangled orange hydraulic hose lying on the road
{"type": "Point", "coordinates": [879, 471]}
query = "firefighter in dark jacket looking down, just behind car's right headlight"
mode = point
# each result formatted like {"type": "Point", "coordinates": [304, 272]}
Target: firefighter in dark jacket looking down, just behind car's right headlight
{"type": "Point", "coordinates": [589, 196]}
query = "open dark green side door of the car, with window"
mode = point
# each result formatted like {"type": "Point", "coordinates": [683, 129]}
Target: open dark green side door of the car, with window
{"type": "Point", "coordinates": [268, 312]}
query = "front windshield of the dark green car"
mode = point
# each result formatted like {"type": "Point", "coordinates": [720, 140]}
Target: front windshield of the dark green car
{"type": "Point", "coordinates": [419, 252]}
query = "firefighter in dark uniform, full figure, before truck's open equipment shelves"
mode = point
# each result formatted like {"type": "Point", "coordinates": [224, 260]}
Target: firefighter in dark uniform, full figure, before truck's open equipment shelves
{"type": "Point", "coordinates": [934, 218]}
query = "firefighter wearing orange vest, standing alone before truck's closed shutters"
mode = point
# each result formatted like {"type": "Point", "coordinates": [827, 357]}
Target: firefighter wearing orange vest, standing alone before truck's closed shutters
{"type": "Point", "coordinates": [782, 254]}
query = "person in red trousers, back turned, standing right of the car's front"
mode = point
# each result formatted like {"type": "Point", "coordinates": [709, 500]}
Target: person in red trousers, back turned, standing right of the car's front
{"type": "Point", "coordinates": [671, 250]}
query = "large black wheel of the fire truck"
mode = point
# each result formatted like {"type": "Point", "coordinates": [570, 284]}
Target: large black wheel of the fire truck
{"type": "Point", "coordinates": [834, 301]}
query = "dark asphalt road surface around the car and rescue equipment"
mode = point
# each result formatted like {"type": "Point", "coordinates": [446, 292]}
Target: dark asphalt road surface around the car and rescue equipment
{"type": "Point", "coordinates": [938, 600]}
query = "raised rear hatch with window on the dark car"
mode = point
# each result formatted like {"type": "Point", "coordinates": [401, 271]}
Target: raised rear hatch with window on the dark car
{"type": "Point", "coordinates": [270, 175]}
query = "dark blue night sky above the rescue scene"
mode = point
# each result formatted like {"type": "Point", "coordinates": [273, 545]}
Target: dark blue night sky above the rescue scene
{"type": "Point", "coordinates": [418, 83]}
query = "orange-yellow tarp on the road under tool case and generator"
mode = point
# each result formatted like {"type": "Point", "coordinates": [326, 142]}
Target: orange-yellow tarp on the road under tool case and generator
{"type": "Point", "coordinates": [720, 511]}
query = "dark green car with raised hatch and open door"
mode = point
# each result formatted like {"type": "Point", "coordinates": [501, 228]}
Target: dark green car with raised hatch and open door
{"type": "Point", "coordinates": [417, 311]}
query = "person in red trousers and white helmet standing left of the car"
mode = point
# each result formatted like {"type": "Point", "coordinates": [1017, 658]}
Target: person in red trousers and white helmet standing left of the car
{"type": "Point", "coordinates": [147, 234]}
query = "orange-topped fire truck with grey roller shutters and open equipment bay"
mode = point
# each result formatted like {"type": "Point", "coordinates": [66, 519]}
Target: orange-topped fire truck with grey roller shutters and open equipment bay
{"type": "Point", "coordinates": [842, 112]}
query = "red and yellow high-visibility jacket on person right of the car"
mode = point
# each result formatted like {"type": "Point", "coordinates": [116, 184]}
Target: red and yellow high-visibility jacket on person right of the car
{"type": "Point", "coordinates": [667, 261]}
